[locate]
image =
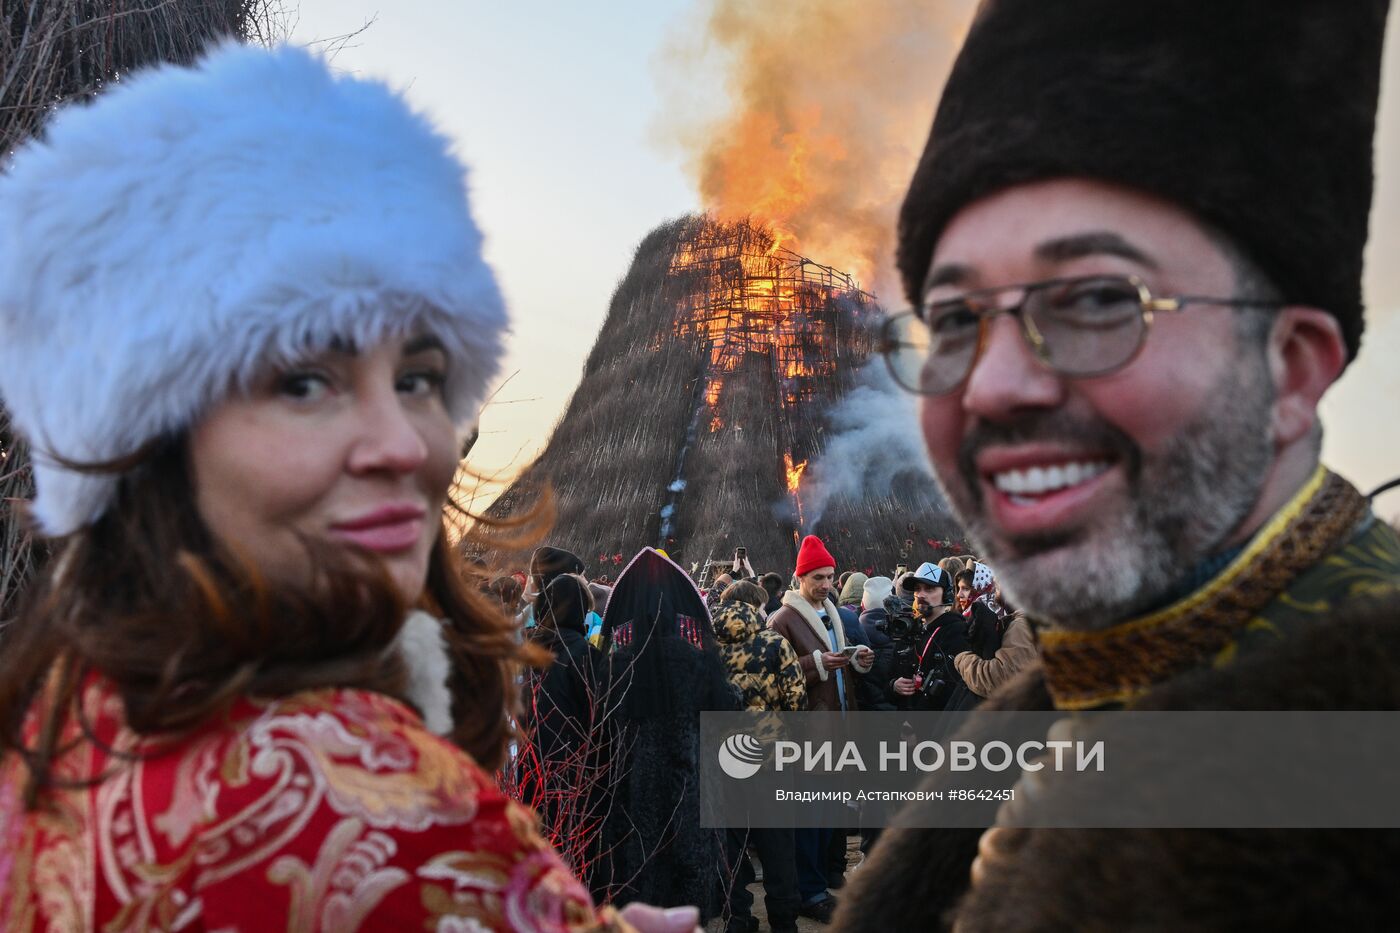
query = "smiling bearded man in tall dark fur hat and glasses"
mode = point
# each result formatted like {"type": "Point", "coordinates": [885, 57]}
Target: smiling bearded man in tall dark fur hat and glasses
{"type": "Point", "coordinates": [1135, 244]}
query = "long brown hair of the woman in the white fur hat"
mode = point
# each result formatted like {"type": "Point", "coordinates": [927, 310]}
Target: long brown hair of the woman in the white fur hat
{"type": "Point", "coordinates": [183, 627]}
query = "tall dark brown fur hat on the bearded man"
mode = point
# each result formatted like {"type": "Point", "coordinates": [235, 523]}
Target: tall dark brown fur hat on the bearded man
{"type": "Point", "coordinates": [1256, 116]}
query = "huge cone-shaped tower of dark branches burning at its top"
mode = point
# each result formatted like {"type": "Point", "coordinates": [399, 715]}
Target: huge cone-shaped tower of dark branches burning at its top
{"type": "Point", "coordinates": [705, 400]}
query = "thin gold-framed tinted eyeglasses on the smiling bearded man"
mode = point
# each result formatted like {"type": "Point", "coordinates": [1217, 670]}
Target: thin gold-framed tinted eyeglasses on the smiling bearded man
{"type": "Point", "coordinates": [1076, 327]}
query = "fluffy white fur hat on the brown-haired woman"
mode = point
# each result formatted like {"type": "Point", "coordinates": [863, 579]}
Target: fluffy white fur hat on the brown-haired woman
{"type": "Point", "coordinates": [191, 228]}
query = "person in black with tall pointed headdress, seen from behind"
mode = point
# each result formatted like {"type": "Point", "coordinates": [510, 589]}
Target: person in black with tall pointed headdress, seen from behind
{"type": "Point", "coordinates": [666, 669]}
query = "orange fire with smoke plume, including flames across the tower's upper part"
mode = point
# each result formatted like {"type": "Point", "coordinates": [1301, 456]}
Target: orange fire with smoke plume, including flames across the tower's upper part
{"type": "Point", "coordinates": [829, 104]}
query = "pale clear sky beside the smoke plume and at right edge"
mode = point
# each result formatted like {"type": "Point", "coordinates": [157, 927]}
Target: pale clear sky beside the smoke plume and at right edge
{"type": "Point", "coordinates": [556, 109]}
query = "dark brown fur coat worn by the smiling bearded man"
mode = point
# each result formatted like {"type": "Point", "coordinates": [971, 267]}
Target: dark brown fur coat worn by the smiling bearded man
{"type": "Point", "coordinates": [1170, 879]}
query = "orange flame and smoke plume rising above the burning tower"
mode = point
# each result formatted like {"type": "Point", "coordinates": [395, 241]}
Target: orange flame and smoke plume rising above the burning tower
{"type": "Point", "coordinates": [831, 103]}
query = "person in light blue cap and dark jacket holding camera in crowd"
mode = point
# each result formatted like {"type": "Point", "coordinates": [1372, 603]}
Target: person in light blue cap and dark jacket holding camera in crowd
{"type": "Point", "coordinates": [926, 634]}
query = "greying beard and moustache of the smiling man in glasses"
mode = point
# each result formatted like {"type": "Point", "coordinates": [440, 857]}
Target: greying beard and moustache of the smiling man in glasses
{"type": "Point", "coordinates": [1184, 506]}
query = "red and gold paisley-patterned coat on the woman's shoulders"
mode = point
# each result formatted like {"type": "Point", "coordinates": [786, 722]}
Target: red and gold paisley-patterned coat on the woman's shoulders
{"type": "Point", "coordinates": [328, 810]}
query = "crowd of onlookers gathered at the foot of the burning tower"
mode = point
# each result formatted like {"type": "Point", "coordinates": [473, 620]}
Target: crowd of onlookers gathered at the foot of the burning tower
{"type": "Point", "coordinates": [612, 757]}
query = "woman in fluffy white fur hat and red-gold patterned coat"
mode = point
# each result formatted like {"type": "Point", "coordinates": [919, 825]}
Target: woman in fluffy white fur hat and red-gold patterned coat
{"type": "Point", "coordinates": [244, 323]}
